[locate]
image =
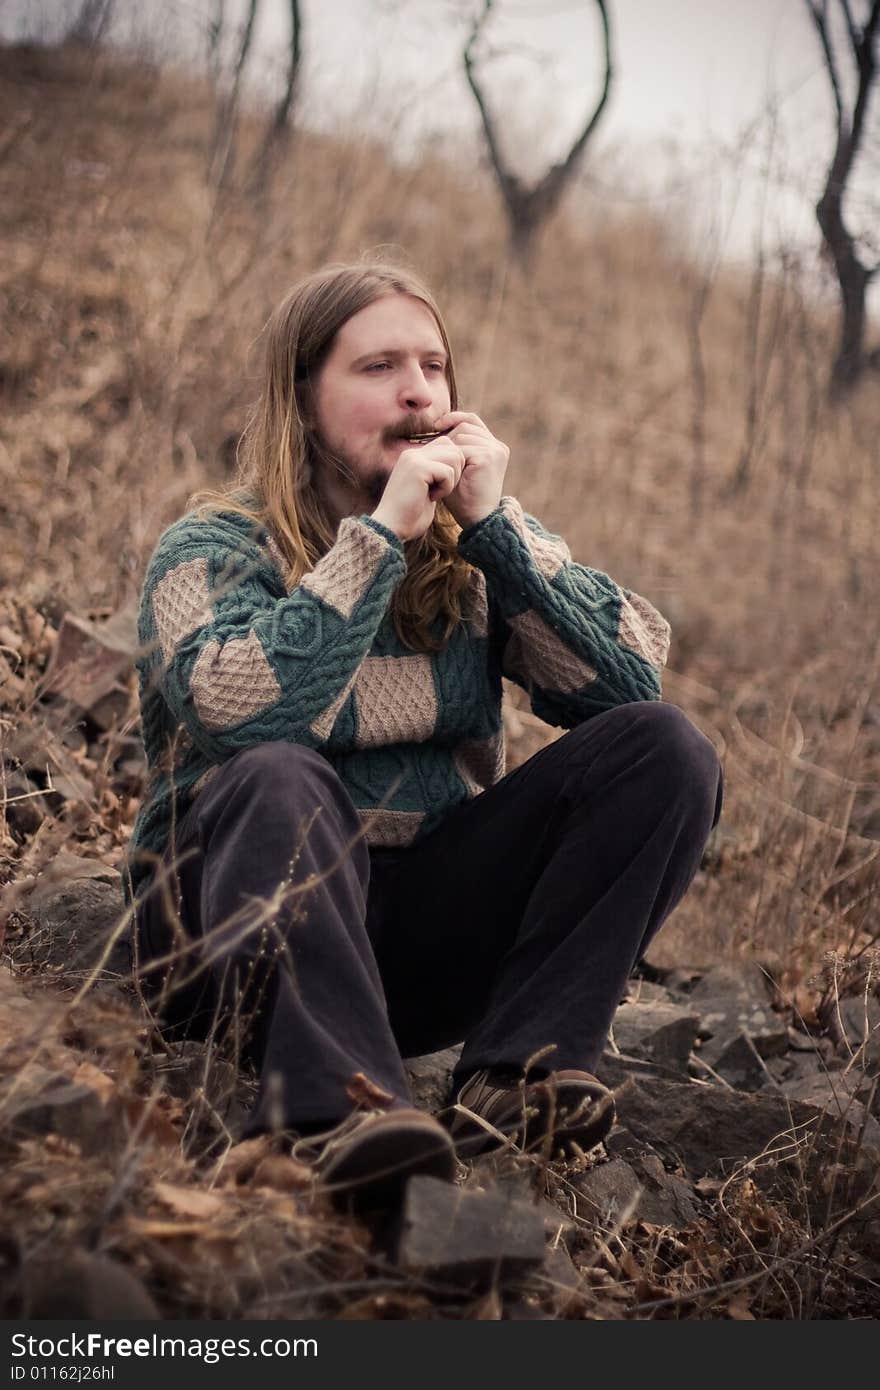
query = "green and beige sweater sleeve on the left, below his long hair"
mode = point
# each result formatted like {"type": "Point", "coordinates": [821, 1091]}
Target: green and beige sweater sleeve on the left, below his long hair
{"type": "Point", "coordinates": [240, 661]}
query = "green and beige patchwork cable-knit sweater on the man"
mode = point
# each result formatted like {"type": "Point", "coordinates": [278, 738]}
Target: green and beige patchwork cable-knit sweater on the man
{"type": "Point", "coordinates": [231, 658]}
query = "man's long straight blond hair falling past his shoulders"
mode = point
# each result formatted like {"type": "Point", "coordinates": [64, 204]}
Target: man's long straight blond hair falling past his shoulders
{"type": "Point", "coordinates": [282, 454]}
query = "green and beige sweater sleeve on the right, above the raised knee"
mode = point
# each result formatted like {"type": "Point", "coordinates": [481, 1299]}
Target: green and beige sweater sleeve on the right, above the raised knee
{"type": "Point", "coordinates": [572, 637]}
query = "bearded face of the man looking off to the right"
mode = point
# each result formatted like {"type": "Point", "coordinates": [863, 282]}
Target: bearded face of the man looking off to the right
{"type": "Point", "coordinates": [386, 379]}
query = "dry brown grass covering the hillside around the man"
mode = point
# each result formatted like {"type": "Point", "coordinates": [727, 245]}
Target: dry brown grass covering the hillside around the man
{"type": "Point", "coordinates": [632, 391]}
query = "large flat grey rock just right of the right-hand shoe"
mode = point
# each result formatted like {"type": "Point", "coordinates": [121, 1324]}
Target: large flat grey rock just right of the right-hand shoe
{"type": "Point", "coordinates": [707, 1128]}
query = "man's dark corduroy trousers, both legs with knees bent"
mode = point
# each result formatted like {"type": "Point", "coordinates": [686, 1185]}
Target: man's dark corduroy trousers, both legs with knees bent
{"type": "Point", "coordinates": [512, 928]}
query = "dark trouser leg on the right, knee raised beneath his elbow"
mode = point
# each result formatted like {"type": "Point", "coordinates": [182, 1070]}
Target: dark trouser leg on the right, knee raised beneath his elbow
{"type": "Point", "coordinates": [516, 924]}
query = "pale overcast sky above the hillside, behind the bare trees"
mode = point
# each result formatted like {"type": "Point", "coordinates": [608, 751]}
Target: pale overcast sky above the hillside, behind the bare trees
{"type": "Point", "coordinates": [719, 108]}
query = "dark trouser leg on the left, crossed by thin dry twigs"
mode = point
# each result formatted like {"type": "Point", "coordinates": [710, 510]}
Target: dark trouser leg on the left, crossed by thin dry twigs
{"type": "Point", "coordinates": [276, 893]}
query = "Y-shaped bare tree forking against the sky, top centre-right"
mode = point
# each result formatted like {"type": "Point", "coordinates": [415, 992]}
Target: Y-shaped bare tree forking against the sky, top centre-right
{"type": "Point", "coordinates": [528, 209]}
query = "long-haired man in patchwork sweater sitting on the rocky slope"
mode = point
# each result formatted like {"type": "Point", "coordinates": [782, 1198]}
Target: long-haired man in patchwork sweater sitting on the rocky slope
{"type": "Point", "coordinates": [322, 683]}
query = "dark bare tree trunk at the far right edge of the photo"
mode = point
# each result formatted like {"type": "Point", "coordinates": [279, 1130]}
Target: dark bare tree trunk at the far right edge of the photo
{"type": "Point", "coordinates": [860, 49]}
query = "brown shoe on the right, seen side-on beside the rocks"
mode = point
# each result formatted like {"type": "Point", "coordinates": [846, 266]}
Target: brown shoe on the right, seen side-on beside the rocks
{"type": "Point", "coordinates": [567, 1110]}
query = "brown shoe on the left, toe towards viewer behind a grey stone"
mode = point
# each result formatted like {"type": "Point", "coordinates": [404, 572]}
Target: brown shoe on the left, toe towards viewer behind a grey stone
{"type": "Point", "coordinates": [369, 1160]}
